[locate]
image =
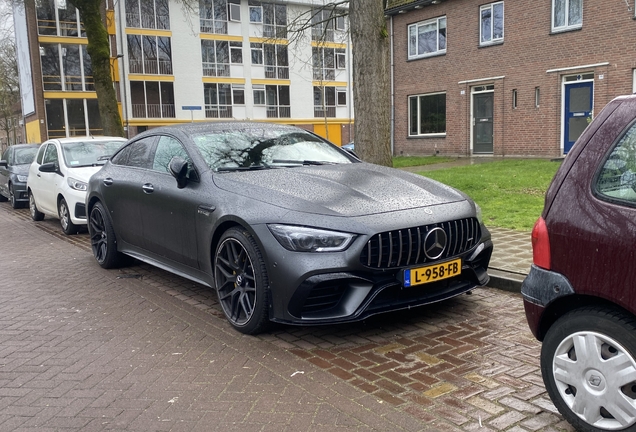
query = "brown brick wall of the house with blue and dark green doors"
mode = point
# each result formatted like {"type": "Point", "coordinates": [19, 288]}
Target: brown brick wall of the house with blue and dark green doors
{"type": "Point", "coordinates": [522, 62]}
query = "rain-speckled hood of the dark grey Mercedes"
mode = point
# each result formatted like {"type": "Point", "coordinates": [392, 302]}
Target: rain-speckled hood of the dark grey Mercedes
{"type": "Point", "coordinates": [343, 190]}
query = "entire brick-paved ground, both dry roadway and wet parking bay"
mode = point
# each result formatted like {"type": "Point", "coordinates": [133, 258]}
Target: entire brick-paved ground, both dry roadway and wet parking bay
{"type": "Point", "coordinates": [151, 351]}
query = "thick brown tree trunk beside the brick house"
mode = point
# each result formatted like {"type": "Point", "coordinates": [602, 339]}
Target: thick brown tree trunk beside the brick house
{"type": "Point", "coordinates": [371, 81]}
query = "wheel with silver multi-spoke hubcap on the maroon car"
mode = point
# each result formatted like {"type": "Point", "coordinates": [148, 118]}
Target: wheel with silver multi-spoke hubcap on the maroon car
{"type": "Point", "coordinates": [588, 362]}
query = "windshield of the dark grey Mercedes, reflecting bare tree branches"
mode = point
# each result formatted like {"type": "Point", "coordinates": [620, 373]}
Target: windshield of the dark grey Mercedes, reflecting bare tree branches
{"type": "Point", "coordinates": [231, 150]}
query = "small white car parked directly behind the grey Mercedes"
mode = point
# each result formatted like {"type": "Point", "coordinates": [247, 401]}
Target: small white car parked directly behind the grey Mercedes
{"type": "Point", "coordinates": [58, 176]}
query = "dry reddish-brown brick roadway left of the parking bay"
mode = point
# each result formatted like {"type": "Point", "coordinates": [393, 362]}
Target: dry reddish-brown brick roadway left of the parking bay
{"type": "Point", "coordinates": [84, 349]}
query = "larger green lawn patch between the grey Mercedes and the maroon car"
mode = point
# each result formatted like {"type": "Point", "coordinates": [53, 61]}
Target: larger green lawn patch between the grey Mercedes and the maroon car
{"type": "Point", "coordinates": [509, 192]}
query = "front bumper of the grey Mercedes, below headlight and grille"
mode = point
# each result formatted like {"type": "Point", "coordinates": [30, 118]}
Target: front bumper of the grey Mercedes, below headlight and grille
{"type": "Point", "coordinates": [313, 289]}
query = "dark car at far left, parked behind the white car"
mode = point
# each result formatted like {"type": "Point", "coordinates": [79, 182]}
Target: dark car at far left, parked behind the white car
{"type": "Point", "coordinates": [14, 168]}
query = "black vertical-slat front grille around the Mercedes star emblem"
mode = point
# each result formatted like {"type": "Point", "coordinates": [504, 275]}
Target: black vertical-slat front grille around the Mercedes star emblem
{"type": "Point", "coordinates": [405, 247]}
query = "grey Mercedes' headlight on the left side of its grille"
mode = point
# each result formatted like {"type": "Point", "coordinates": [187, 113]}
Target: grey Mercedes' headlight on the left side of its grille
{"type": "Point", "coordinates": [303, 239]}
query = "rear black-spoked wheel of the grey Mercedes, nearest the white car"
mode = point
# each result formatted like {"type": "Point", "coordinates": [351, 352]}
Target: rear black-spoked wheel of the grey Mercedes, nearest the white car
{"type": "Point", "coordinates": [103, 240]}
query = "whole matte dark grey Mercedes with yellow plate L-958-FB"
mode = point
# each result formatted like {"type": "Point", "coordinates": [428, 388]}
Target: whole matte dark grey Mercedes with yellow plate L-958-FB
{"type": "Point", "coordinates": [284, 225]}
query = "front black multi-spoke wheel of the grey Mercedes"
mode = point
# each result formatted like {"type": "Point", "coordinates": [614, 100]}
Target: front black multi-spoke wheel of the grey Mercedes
{"type": "Point", "coordinates": [240, 277]}
